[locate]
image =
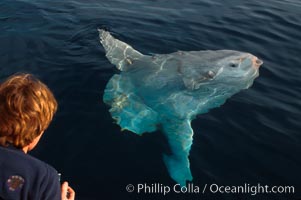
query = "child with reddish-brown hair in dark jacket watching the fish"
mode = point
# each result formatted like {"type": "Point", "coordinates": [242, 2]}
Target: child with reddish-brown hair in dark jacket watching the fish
{"type": "Point", "coordinates": [27, 107]}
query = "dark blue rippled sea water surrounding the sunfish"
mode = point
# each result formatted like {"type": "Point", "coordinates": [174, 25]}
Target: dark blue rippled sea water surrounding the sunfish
{"type": "Point", "coordinates": [254, 138]}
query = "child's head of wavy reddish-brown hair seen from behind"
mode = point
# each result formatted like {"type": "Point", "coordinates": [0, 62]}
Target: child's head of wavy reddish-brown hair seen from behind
{"type": "Point", "coordinates": [27, 107]}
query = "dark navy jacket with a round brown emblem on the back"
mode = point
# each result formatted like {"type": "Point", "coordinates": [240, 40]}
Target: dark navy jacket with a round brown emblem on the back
{"type": "Point", "coordinates": [23, 177]}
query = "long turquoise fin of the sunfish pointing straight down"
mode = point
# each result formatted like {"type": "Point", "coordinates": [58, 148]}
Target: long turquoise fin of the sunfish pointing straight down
{"type": "Point", "coordinates": [179, 135]}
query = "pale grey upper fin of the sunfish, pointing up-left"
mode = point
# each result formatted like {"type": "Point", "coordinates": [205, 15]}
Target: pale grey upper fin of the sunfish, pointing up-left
{"type": "Point", "coordinates": [119, 53]}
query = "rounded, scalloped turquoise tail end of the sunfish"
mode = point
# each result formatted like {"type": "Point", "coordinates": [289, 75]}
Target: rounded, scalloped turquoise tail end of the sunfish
{"type": "Point", "coordinates": [127, 109]}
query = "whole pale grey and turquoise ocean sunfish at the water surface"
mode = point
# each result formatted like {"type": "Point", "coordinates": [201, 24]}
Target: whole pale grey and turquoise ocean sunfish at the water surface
{"type": "Point", "coordinates": [167, 91]}
